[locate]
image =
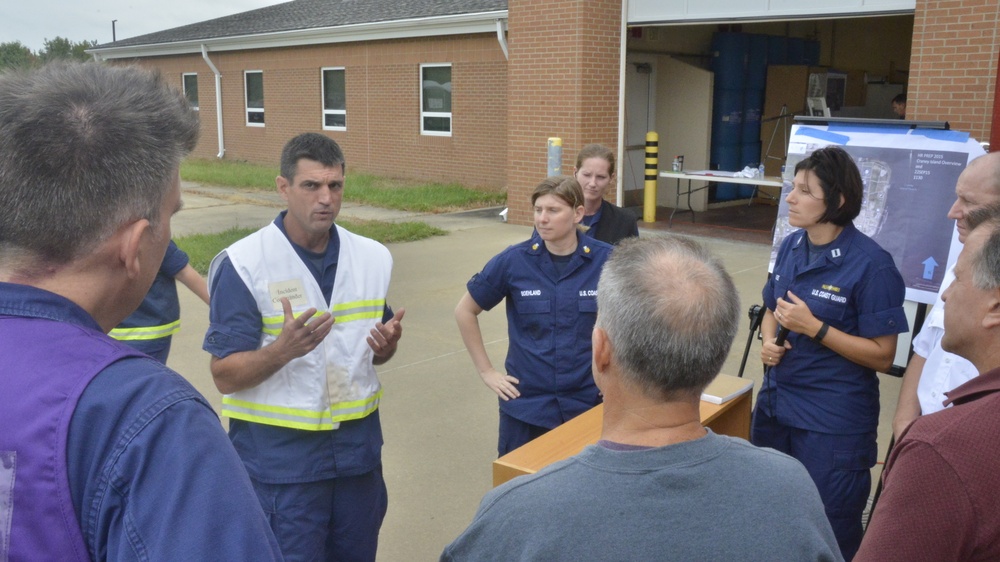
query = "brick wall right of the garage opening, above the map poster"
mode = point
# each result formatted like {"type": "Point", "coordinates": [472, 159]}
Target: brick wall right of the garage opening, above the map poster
{"type": "Point", "coordinates": [953, 66]}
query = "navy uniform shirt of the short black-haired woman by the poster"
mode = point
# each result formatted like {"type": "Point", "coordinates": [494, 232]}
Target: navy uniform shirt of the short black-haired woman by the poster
{"type": "Point", "coordinates": [856, 288]}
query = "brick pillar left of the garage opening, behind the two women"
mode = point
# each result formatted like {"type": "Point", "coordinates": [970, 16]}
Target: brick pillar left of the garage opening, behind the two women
{"type": "Point", "coordinates": [563, 81]}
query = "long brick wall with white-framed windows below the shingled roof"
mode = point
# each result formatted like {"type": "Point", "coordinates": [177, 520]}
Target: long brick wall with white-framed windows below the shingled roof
{"type": "Point", "coordinates": [383, 97]}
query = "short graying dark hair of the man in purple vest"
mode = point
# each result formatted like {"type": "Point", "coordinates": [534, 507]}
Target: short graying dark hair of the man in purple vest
{"type": "Point", "coordinates": [84, 149]}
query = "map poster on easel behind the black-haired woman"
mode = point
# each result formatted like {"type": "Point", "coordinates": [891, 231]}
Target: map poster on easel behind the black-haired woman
{"type": "Point", "coordinates": [909, 176]}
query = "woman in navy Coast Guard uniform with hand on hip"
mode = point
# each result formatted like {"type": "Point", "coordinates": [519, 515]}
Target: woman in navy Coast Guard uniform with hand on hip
{"type": "Point", "coordinates": [550, 285]}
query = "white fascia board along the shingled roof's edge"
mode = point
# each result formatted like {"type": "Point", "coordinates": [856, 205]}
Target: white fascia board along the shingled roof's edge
{"type": "Point", "coordinates": [484, 22]}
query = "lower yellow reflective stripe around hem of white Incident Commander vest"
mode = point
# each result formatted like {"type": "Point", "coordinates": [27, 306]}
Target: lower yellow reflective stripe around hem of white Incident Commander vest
{"type": "Point", "coordinates": [296, 418]}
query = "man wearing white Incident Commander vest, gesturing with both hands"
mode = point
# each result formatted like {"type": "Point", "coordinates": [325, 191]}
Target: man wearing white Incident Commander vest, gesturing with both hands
{"type": "Point", "coordinates": [298, 320]}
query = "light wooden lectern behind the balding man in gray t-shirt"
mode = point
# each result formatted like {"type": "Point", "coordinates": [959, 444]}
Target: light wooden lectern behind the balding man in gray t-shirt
{"type": "Point", "coordinates": [731, 418]}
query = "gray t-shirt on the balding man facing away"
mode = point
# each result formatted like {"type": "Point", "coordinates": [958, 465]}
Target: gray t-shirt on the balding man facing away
{"type": "Point", "coordinates": [714, 498]}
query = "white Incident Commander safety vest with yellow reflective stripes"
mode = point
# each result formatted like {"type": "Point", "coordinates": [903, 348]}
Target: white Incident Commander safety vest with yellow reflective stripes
{"type": "Point", "coordinates": [336, 381]}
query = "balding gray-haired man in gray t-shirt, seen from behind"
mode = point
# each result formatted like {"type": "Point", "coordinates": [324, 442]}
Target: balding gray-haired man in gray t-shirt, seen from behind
{"type": "Point", "coordinates": [658, 485]}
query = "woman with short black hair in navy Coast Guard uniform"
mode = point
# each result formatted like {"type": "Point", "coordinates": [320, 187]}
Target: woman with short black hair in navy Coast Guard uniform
{"type": "Point", "coordinates": [840, 296]}
